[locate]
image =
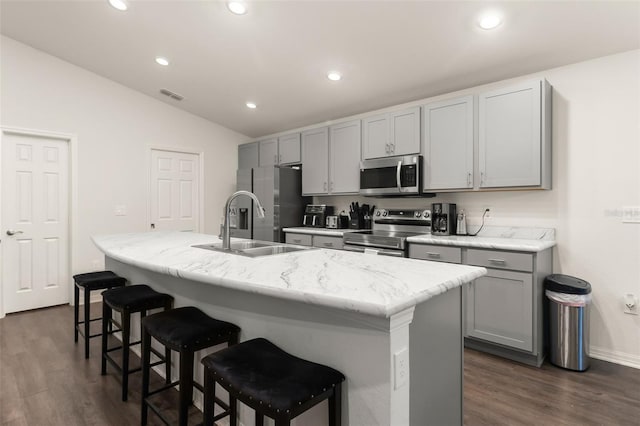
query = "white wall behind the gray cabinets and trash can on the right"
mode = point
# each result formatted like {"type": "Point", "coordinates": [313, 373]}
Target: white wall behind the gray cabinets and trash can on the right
{"type": "Point", "coordinates": [596, 171]}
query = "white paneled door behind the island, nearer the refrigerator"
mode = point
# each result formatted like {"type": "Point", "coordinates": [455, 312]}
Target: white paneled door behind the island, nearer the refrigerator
{"type": "Point", "coordinates": [175, 189]}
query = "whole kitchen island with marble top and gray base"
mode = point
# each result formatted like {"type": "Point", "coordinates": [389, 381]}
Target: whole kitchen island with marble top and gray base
{"type": "Point", "coordinates": [393, 326]}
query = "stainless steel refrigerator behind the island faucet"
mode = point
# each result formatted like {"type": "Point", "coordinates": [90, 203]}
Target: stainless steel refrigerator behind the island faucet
{"type": "Point", "coordinates": [279, 190]}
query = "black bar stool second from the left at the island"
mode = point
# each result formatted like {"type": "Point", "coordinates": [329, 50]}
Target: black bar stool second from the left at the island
{"type": "Point", "coordinates": [129, 300]}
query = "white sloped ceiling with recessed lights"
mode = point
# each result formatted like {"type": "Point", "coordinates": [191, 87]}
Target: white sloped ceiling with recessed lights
{"type": "Point", "coordinates": [278, 54]}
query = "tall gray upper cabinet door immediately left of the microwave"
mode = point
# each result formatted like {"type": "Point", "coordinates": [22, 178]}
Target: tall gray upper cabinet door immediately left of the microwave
{"type": "Point", "coordinates": [344, 158]}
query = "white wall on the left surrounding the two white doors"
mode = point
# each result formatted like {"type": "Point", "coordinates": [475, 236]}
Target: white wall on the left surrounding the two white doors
{"type": "Point", "coordinates": [114, 127]}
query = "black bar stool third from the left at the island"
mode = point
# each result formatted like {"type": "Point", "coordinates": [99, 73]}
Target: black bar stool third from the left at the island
{"type": "Point", "coordinates": [185, 330]}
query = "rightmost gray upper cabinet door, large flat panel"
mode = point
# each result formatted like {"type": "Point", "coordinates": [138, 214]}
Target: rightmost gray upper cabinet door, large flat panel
{"type": "Point", "coordinates": [510, 136]}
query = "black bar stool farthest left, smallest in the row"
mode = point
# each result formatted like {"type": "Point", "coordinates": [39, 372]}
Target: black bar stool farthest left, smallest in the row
{"type": "Point", "coordinates": [88, 282]}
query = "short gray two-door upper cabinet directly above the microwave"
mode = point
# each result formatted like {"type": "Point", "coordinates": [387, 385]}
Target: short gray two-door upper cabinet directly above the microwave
{"type": "Point", "coordinates": [390, 134]}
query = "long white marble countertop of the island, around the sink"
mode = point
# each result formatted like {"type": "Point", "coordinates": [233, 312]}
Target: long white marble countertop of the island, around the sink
{"type": "Point", "coordinates": [370, 284]}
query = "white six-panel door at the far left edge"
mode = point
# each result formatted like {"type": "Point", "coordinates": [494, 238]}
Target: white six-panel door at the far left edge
{"type": "Point", "coordinates": [35, 221]}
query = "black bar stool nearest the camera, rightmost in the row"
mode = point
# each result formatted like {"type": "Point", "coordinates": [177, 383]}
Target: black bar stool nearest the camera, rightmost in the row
{"type": "Point", "coordinates": [271, 381]}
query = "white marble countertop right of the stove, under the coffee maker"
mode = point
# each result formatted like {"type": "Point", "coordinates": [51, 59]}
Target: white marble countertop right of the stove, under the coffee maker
{"type": "Point", "coordinates": [499, 238]}
